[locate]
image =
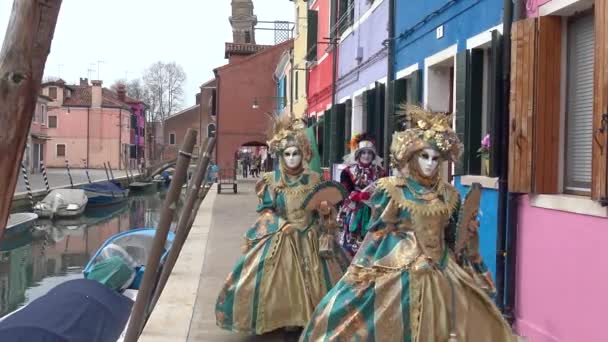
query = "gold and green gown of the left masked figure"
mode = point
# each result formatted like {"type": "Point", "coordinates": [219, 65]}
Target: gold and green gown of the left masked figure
{"type": "Point", "coordinates": [281, 277]}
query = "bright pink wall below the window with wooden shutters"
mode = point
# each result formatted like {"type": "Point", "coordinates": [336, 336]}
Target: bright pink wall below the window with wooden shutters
{"type": "Point", "coordinates": [562, 277]}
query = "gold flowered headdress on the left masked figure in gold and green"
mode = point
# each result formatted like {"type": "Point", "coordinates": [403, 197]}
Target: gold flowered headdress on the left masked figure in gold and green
{"type": "Point", "coordinates": [288, 131]}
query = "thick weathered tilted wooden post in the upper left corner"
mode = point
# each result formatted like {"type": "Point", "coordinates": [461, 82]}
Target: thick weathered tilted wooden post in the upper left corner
{"type": "Point", "coordinates": [26, 46]}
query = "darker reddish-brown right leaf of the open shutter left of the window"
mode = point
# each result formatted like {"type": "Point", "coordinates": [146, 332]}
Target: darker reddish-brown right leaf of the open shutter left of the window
{"type": "Point", "coordinates": [547, 103]}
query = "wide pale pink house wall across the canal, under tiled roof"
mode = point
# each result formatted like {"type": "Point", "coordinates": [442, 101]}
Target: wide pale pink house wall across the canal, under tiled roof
{"type": "Point", "coordinates": [102, 141]}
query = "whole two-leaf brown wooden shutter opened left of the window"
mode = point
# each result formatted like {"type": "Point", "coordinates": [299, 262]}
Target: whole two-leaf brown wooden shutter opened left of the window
{"type": "Point", "coordinates": [535, 105]}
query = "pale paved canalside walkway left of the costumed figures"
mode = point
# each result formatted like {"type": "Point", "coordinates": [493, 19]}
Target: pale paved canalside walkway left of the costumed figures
{"type": "Point", "coordinates": [186, 309]}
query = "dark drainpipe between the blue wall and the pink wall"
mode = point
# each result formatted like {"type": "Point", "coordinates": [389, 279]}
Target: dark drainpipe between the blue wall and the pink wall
{"type": "Point", "coordinates": [503, 131]}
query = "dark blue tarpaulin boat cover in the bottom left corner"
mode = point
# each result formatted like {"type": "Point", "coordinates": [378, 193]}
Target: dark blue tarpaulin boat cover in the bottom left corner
{"type": "Point", "coordinates": [77, 310]}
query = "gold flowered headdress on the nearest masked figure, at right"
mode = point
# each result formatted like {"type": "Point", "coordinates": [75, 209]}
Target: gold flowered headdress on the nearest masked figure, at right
{"type": "Point", "coordinates": [428, 130]}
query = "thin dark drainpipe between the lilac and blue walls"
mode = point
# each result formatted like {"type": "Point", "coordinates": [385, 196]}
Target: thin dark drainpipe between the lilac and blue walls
{"type": "Point", "coordinates": [389, 105]}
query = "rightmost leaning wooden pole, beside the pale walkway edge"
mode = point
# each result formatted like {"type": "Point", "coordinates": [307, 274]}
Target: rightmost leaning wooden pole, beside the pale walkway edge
{"type": "Point", "coordinates": [185, 221]}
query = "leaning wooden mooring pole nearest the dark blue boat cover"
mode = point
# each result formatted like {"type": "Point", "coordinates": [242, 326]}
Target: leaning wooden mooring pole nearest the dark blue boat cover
{"type": "Point", "coordinates": [160, 238]}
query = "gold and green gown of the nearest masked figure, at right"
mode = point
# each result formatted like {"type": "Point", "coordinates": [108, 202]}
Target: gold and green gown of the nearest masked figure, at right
{"type": "Point", "coordinates": [405, 284]}
